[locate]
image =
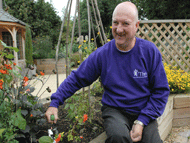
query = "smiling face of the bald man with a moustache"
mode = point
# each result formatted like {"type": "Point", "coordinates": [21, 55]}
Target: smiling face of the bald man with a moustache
{"type": "Point", "coordinates": [124, 27]}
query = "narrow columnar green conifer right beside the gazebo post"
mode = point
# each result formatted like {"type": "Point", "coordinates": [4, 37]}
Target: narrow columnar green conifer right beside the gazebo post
{"type": "Point", "coordinates": [28, 47]}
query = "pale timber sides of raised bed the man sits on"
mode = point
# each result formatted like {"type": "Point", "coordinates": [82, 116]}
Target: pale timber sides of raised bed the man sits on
{"type": "Point", "coordinates": [176, 113]}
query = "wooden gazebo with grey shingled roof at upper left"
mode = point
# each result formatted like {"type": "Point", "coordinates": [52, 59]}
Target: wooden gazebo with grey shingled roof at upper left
{"type": "Point", "coordinates": [12, 32]}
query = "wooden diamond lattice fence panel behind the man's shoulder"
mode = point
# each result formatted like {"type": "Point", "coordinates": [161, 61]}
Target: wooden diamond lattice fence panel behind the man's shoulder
{"type": "Point", "coordinates": [172, 38]}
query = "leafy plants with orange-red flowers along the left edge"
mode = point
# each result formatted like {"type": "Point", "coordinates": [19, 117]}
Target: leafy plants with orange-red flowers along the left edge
{"type": "Point", "coordinates": [20, 111]}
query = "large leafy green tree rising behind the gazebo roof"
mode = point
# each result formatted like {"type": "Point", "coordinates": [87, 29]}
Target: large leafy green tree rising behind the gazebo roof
{"type": "Point", "coordinates": [40, 15]}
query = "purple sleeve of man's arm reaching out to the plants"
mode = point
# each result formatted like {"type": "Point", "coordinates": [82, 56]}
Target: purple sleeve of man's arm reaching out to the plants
{"type": "Point", "coordinates": [87, 73]}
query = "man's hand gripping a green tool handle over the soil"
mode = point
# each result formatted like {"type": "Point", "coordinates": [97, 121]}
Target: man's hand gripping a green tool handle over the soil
{"type": "Point", "coordinates": [52, 111]}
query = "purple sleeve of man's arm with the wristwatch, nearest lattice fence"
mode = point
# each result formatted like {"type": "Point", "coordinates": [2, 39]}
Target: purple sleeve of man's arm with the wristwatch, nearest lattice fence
{"type": "Point", "coordinates": [159, 90]}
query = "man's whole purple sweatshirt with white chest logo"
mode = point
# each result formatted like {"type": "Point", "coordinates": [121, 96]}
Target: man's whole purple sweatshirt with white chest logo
{"type": "Point", "coordinates": [135, 80]}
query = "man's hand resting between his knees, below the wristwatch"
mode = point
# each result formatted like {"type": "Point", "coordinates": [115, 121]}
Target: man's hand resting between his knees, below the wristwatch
{"type": "Point", "coordinates": [136, 132]}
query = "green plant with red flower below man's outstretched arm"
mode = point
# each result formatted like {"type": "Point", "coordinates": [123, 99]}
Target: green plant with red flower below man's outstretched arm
{"type": "Point", "coordinates": [79, 110]}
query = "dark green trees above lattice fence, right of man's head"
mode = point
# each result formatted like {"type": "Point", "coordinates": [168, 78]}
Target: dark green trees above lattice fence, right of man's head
{"type": "Point", "coordinates": [162, 9]}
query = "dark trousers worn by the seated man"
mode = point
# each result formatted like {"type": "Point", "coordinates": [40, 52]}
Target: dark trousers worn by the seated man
{"type": "Point", "coordinates": [118, 124]}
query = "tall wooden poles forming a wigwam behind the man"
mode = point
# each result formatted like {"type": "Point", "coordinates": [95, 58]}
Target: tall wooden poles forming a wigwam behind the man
{"type": "Point", "coordinates": [99, 27]}
